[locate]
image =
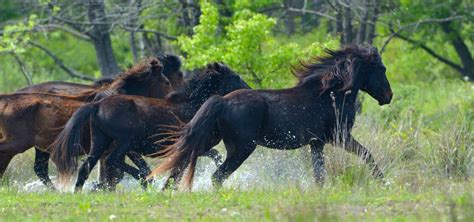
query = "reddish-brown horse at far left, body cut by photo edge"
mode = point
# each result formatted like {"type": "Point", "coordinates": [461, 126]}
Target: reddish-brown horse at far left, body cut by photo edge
{"type": "Point", "coordinates": [34, 119]}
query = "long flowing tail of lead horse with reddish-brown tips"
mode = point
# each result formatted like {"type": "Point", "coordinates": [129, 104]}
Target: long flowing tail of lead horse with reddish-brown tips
{"type": "Point", "coordinates": [193, 140]}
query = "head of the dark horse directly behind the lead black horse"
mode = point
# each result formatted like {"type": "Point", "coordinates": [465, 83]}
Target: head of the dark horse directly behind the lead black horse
{"type": "Point", "coordinates": [224, 79]}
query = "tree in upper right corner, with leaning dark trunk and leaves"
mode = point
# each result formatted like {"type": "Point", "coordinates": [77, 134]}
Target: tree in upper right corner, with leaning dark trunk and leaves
{"type": "Point", "coordinates": [430, 25]}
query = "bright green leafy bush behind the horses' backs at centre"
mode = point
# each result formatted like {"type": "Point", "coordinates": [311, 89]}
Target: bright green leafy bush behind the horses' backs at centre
{"type": "Point", "coordinates": [247, 45]}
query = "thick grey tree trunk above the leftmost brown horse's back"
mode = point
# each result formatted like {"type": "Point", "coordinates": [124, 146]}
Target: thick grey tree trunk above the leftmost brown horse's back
{"type": "Point", "coordinates": [101, 38]}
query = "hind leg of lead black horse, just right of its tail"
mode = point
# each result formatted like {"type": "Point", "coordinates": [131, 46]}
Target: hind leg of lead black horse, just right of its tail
{"type": "Point", "coordinates": [236, 155]}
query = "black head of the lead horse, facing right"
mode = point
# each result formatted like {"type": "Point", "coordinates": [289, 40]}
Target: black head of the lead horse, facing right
{"type": "Point", "coordinates": [373, 79]}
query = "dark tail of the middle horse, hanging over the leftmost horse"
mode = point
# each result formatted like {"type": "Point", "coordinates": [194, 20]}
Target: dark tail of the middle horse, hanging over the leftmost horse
{"type": "Point", "coordinates": [67, 145]}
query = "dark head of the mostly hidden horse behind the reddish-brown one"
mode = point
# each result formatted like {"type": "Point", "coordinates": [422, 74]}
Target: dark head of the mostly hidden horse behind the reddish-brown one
{"type": "Point", "coordinates": [172, 69]}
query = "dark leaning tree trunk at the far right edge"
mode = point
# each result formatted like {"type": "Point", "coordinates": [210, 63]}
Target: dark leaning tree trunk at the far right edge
{"type": "Point", "coordinates": [461, 49]}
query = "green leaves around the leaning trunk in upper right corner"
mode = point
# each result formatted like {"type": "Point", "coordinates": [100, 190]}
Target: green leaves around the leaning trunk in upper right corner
{"type": "Point", "coordinates": [421, 21]}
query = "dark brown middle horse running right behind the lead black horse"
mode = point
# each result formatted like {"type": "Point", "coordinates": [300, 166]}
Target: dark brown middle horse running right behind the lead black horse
{"type": "Point", "coordinates": [133, 123]}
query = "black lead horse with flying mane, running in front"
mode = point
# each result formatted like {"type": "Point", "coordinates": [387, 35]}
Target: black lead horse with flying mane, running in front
{"type": "Point", "coordinates": [318, 110]}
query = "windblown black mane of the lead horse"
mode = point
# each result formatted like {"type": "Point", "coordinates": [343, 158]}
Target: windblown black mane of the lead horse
{"type": "Point", "coordinates": [336, 68]}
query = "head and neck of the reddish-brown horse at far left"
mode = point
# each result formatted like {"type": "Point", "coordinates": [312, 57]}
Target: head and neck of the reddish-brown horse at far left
{"type": "Point", "coordinates": [144, 79]}
